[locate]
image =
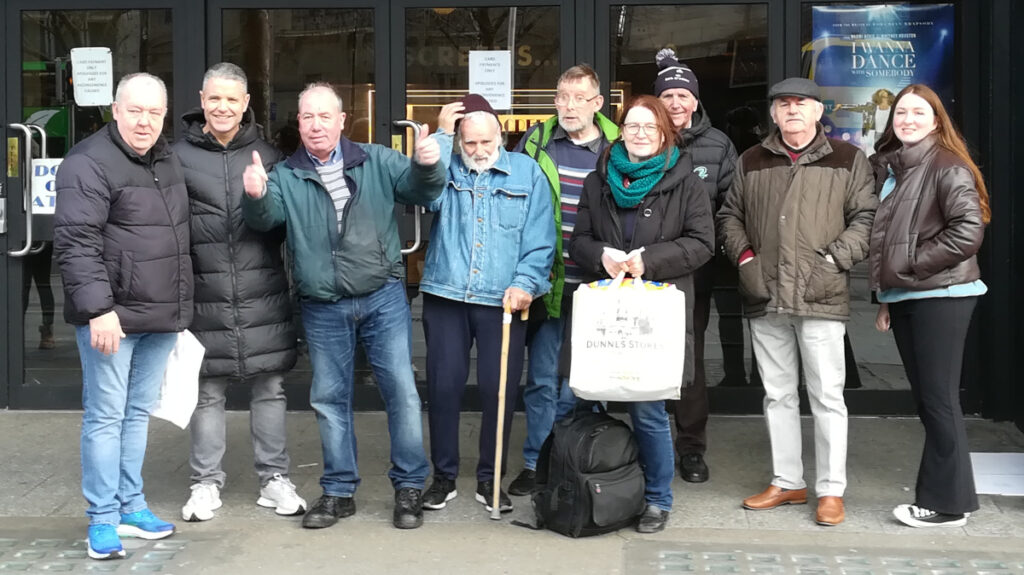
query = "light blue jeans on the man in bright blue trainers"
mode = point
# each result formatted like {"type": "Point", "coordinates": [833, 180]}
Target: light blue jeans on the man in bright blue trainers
{"type": "Point", "coordinates": [118, 392]}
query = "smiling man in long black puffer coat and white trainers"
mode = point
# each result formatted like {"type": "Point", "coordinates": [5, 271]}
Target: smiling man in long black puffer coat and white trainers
{"type": "Point", "coordinates": [243, 309]}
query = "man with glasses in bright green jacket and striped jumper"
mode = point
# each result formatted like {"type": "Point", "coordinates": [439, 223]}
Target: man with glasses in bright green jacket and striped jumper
{"type": "Point", "coordinates": [567, 147]}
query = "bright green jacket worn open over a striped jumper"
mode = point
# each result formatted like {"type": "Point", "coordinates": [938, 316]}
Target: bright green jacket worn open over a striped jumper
{"type": "Point", "coordinates": [537, 143]}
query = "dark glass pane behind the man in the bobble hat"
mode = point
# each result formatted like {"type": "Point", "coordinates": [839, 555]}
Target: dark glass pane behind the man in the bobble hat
{"type": "Point", "coordinates": [727, 48]}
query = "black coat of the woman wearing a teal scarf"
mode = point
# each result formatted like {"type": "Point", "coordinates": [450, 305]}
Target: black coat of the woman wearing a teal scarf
{"type": "Point", "coordinates": [674, 226]}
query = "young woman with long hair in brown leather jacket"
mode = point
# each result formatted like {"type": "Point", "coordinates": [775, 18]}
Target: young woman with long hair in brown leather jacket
{"type": "Point", "coordinates": [929, 227]}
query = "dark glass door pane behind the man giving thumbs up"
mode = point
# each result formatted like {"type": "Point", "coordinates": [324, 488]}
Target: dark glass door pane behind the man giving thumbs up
{"type": "Point", "coordinates": [285, 50]}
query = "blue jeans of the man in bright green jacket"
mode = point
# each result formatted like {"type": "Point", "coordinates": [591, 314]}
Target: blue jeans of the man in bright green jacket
{"type": "Point", "coordinates": [546, 396]}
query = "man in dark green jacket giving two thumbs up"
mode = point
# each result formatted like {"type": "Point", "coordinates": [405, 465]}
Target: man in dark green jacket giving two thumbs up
{"type": "Point", "coordinates": [337, 200]}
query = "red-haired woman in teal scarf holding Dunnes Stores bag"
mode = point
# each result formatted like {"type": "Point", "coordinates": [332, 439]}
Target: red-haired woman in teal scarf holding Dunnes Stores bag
{"type": "Point", "coordinates": [644, 195]}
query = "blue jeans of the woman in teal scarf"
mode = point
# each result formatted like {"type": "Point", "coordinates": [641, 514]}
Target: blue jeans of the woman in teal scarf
{"type": "Point", "coordinates": [654, 435]}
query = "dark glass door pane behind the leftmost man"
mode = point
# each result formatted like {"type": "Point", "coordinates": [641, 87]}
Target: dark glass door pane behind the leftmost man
{"type": "Point", "coordinates": [140, 41]}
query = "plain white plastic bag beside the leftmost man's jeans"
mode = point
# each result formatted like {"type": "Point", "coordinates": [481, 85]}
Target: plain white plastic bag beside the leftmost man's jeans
{"type": "Point", "coordinates": [180, 391]}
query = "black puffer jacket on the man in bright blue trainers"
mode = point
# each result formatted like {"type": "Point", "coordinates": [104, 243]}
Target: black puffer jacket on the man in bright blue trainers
{"type": "Point", "coordinates": [121, 235]}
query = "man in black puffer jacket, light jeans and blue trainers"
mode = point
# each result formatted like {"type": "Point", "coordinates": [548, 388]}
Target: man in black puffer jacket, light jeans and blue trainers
{"type": "Point", "coordinates": [121, 239]}
